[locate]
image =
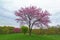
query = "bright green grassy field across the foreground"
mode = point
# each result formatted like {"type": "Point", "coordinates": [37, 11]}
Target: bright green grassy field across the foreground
{"type": "Point", "coordinates": [27, 37]}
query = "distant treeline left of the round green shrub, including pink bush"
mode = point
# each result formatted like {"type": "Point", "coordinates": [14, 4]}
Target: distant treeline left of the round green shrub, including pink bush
{"type": "Point", "coordinates": [8, 30]}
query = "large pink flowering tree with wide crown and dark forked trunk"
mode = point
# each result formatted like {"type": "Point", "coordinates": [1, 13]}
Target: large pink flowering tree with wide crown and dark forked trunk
{"type": "Point", "coordinates": [32, 16]}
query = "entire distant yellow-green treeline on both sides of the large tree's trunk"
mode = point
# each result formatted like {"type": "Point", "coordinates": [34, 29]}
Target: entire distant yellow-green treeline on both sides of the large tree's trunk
{"type": "Point", "coordinates": [11, 29]}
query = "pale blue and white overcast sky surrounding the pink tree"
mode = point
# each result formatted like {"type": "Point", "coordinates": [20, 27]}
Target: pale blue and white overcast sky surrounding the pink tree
{"type": "Point", "coordinates": [7, 8]}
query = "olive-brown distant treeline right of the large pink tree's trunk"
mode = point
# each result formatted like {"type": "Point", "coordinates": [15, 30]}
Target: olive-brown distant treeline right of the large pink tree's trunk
{"type": "Point", "coordinates": [50, 30]}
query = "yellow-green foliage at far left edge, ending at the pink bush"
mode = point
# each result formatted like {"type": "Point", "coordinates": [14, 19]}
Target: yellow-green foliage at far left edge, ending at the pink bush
{"type": "Point", "coordinates": [6, 29]}
